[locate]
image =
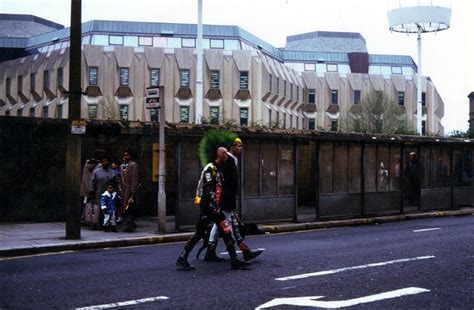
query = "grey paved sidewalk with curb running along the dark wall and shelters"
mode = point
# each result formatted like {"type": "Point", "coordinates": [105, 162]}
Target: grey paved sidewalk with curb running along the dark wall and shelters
{"type": "Point", "coordinates": [19, 239]}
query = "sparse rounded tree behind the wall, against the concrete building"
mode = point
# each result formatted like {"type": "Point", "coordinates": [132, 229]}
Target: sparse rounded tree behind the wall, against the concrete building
{"type": "Point", "coordinates": [376, 113]}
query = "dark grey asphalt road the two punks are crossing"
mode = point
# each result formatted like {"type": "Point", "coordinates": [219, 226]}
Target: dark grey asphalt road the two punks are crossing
{"type": "Point", "coordinates": [420, 264]}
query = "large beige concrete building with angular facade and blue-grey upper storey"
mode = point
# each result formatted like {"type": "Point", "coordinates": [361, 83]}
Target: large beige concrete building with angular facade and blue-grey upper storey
{"type": "Point", "coordinates": [305, 85]}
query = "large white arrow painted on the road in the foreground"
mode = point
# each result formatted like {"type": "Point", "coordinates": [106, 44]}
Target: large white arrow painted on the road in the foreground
{"type": "Point", "coordinates": [311, 301]}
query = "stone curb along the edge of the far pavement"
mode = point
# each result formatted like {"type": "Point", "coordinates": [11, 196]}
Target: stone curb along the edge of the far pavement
{"type": "Point", "coordinates": [78, 245]}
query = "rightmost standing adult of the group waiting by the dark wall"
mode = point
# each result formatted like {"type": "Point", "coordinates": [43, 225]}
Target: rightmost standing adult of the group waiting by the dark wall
{"type": "Point", "coordinates": [129, 184]}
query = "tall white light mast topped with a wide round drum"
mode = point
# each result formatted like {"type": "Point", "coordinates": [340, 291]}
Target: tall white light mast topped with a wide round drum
{"type": "Point", "coordinates": [421, 16]}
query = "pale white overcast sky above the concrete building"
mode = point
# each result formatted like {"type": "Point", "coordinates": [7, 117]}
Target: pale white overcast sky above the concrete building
{"type": "Point", "coordinates": [447, 56]}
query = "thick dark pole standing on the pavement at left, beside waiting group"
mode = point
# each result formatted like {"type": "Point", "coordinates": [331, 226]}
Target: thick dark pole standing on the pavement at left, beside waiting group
{"type": "Point", "coordinates": [73, 152]}
